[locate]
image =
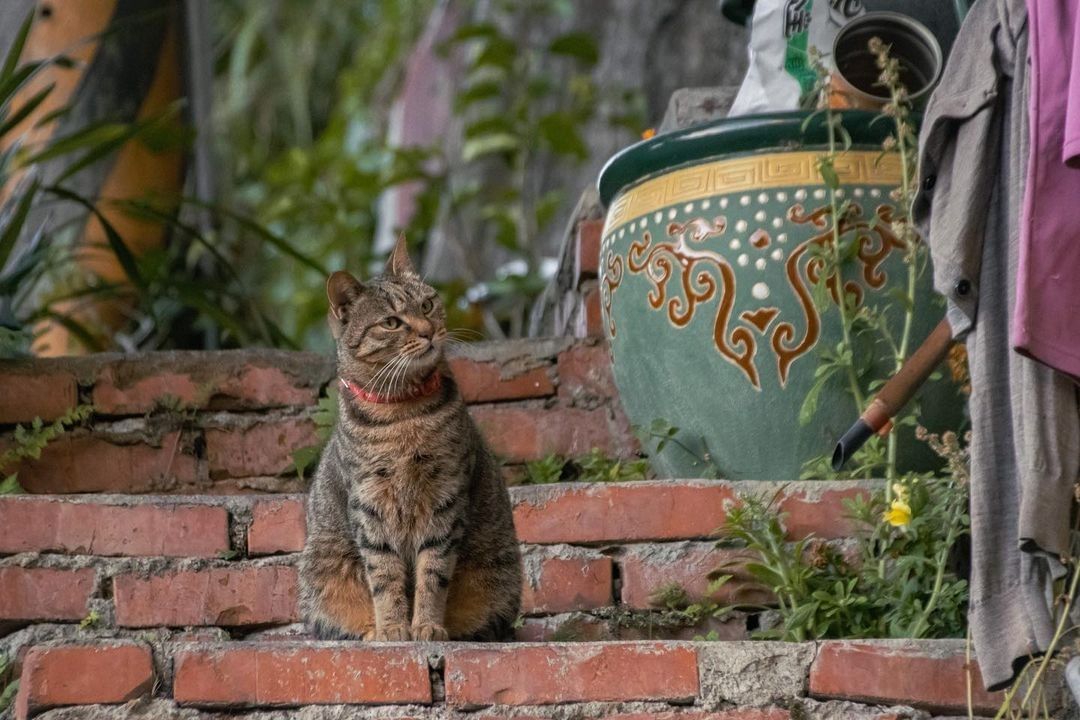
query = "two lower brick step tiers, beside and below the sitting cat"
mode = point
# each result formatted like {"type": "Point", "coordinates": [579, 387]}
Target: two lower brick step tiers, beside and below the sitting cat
{"type": "Point", "coordinates": [193, 602]}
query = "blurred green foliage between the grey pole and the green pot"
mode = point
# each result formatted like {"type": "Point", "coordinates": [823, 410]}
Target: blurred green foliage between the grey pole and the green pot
{"type": "Point", "coordinates": [303, 94]}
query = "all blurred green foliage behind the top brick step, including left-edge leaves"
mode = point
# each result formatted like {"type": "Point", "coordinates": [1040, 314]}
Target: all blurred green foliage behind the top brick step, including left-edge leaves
{"type": "Point", "coordinates": [302, 100]}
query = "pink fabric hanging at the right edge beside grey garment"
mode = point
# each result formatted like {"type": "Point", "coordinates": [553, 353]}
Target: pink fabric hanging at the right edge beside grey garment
{"type": "Point", "coordinates": [1047, 323]}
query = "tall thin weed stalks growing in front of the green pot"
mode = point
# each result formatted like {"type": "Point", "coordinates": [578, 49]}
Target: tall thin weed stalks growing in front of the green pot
{"type": "Point", "coordinates": [867, 329]}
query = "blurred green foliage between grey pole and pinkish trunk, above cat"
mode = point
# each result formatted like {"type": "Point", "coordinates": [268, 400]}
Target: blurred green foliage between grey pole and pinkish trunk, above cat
{"type": "Point", "coordinates": [302, 92]}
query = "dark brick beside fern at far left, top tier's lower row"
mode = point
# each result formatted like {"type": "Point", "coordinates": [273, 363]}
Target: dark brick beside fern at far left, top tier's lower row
{"type": "Point", "coordinates": [82, 463]}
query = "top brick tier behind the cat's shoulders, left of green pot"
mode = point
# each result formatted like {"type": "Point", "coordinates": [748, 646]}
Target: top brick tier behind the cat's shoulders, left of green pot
{"type": "Point", "coordinates": [229, 422]}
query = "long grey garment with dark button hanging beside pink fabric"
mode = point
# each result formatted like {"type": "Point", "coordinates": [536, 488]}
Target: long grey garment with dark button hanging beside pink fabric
{"type": "Point", "coordinates": [1025, 453]}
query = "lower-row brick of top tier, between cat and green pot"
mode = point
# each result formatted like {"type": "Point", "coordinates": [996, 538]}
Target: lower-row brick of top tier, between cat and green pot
{"type": "Point", "coordinates": [520, 434]}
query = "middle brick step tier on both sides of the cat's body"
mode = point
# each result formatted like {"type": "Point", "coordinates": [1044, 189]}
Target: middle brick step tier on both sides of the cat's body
{"type": "Point", "coordinates": [204, 562]}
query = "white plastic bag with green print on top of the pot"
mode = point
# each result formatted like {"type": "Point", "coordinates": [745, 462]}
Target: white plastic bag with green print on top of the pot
{"type": "Point", "coordinates": [781, 34]}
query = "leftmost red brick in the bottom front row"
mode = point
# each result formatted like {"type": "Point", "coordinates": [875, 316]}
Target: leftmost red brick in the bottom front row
{"type": "Point", "coordinates": [84, 675]}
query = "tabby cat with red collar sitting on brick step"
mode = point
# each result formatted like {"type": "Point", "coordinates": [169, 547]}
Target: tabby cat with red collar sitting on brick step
{"type": "Point", "coordinates": [410, 526]}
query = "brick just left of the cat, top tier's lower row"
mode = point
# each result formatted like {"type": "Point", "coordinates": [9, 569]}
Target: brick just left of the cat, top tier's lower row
{"type": "Point", "coordinates": [263, 450]}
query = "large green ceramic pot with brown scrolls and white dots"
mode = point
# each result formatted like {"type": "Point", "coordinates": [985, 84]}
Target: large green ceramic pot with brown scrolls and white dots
{"type": "Point", "coordinates": [708, 276]}
